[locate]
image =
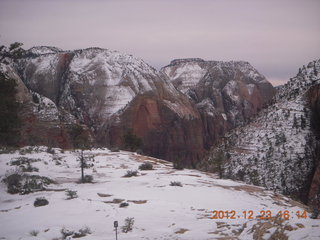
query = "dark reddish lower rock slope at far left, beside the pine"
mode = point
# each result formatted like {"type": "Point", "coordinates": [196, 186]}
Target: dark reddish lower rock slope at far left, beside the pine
{"type": "Point", "coordinates": [43, 123]}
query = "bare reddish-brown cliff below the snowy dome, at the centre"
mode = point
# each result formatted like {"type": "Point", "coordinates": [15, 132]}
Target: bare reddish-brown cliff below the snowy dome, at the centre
{"type": "Point", "coordinates": [169, 129]}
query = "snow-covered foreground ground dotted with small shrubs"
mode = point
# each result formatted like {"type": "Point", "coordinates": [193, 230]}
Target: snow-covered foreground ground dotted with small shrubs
{"type": "Point", "coordinates": [160, 211]}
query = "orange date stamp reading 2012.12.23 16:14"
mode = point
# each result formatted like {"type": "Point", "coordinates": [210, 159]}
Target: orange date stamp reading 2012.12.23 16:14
{"type": "Point", "coordinates": [263, 214]}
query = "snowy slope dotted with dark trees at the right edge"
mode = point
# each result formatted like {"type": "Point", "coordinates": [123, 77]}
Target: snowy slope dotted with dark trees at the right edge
{"type": "Point", "coordinates": [278, 148]}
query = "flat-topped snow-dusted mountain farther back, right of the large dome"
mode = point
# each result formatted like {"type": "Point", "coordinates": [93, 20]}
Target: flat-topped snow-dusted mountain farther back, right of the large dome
{"type": "Point", "coordinates": [234, 90]}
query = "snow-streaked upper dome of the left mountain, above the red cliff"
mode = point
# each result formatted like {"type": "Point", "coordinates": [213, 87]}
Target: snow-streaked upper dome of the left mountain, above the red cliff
{"type": "Point", "coordinates": [91, 83]}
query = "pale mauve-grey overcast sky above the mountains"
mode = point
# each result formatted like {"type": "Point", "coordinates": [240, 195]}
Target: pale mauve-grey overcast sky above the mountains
{"type": "Point", "coordinates": [275, 36]}
